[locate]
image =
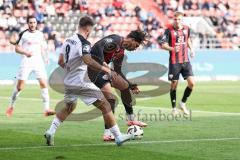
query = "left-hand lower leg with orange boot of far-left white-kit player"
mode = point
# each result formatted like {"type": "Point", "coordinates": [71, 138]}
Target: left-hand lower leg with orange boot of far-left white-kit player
{"type": "Point", "coordinates": [17, 90]}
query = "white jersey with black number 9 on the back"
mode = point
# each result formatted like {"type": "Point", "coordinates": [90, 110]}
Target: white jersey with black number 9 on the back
{"type": "Point", "coordinates": [73, 49]}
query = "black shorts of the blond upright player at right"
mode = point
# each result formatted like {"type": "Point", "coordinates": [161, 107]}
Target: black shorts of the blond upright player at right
{"type": "Point", "coordinates": [179, 68]}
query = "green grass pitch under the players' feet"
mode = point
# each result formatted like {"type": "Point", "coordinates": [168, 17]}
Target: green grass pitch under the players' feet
{"type": "Point", "coordinates": [212, 132]}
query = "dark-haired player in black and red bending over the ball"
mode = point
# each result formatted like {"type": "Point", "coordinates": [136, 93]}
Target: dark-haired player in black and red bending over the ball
{"type": "Point", "coordinates": [111, 49]}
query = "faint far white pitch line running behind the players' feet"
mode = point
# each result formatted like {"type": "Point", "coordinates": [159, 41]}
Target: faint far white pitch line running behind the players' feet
{"type": "Point", "coordinates": [137, 106]}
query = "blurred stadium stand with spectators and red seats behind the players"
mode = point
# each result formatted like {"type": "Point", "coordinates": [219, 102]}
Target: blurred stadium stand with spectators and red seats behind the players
{"type": "Point", "coordinates": [215, 23]}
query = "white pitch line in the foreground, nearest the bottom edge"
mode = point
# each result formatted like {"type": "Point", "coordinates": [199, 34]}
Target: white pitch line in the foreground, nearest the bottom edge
{"type": "Point", "coordinates": [128, 143]}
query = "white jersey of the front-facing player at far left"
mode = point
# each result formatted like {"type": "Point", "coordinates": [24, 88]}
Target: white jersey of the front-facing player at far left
{"type": "Point", "coordinates": [34, 43]}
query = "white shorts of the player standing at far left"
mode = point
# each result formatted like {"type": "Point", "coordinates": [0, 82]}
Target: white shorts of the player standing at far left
{"type": "Point", "coordinates": [24, 73]}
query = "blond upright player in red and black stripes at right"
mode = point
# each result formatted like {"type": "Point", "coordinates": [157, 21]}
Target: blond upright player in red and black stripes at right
{"type": "Point", "coordinates": [176, 40]}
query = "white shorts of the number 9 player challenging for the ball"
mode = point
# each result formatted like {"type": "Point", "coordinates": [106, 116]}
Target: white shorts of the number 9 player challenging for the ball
{"type": "Point", "coordinates": [89, 93]}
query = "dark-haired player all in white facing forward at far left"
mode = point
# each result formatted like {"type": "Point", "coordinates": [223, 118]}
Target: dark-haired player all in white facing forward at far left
{"type": "Point", "coordinates": [31, 45]}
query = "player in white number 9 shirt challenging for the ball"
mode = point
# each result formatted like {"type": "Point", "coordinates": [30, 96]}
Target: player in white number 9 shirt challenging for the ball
{"type": "Point", "coordinates": [74, 58]}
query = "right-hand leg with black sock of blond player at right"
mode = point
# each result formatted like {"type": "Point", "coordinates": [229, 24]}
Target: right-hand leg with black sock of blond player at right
{"type": "Point", "coordinates": [187, 93]}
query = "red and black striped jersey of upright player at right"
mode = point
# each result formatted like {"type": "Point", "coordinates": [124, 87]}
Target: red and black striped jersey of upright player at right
{"type": "Point", "coordinates": [179, 37]}
